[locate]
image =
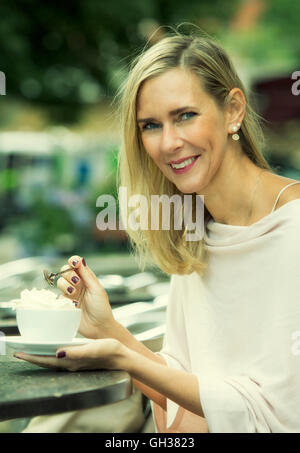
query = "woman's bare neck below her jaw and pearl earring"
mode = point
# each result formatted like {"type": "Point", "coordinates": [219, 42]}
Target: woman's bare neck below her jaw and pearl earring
{"type": "Point", "coordinates": [232, 196]}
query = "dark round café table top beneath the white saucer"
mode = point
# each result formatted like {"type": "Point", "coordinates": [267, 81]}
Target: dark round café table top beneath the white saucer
{"type": "Point", "coordinates": [27, 390]}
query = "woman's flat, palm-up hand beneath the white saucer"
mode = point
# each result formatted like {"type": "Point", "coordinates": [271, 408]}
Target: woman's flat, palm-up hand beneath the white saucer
{"type": "Point", "coordinates": [106, 354]}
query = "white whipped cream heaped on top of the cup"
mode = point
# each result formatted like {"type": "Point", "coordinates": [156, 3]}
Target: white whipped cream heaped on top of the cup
{"type": "Point", "coordinates": [43, 299]}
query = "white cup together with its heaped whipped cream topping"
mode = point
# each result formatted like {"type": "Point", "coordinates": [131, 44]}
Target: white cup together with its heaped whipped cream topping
{"type": "Point", "coordinates": [44, 317]}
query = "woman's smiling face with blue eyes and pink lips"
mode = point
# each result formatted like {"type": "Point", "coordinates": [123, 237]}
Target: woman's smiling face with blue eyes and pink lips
{"type": "Point", "coordinates": [182, 129]}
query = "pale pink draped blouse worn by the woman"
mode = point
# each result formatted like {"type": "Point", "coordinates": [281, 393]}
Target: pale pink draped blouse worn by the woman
{"type": "Point", "coordinates": [236, 329]}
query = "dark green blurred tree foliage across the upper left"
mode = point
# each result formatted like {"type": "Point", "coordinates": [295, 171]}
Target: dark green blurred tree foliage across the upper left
{"type": "Point", "coordinates": [69, 54]}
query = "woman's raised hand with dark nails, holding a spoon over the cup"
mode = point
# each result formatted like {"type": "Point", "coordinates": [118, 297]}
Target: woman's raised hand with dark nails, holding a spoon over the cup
{"type": "Point", "coordinates": [82, 286]}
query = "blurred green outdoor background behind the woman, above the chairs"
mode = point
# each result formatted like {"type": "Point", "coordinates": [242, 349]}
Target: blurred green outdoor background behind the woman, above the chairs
{"type": "Point", "coordinates": [58, 134]}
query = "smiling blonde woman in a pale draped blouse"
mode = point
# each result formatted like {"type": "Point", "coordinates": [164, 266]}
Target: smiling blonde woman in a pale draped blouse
{"type": "Point", "coordinates": [227, 363]}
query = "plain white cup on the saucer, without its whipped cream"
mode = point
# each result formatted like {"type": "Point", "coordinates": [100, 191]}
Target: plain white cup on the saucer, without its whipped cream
{"type": "Point", "coordinates": [48, 325]}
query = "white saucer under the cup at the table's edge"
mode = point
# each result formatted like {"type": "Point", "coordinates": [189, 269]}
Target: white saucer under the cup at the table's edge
{"type": "Point", "coordinates": [39, 347]}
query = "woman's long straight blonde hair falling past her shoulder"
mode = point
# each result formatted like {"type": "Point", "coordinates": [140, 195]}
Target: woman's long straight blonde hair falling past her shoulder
{"type": "Point", "coordinates": [168, 249]}
